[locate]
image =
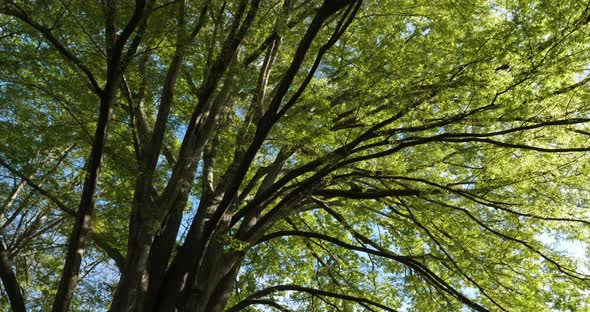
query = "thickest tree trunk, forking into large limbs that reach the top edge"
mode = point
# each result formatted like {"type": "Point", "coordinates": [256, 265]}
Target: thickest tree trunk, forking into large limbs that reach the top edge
{"type": "Point", "coordinates": [202, 275]}
